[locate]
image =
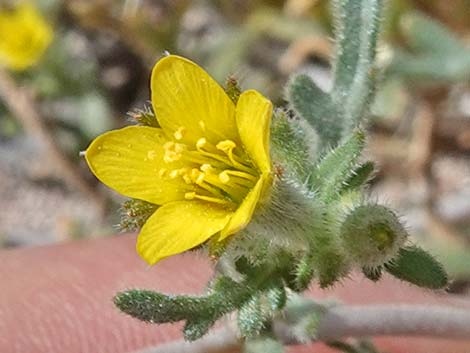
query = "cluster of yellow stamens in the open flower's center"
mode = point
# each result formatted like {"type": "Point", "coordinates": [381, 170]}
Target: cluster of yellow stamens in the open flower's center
{"type": "Point", "coordinates": [220, 173]}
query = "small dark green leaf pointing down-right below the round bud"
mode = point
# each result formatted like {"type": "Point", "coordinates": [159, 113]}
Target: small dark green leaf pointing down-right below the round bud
{"type": "Point", "coordinates": [416, 266]}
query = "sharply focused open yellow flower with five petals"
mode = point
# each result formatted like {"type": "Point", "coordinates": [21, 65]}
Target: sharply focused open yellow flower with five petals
{"type": "Point", "coordinates": [208, 166]}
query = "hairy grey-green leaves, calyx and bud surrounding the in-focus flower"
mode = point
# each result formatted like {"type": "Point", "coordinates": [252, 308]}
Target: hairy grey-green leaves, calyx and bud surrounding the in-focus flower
{"type": "Point", "coordinates": [316, 223]}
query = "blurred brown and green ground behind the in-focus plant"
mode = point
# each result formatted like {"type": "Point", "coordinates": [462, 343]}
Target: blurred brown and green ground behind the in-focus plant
{"type": "Point", "coordinates": [85, 69]}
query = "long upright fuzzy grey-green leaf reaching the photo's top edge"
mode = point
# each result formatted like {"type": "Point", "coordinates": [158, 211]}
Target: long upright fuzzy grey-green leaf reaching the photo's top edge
{"type": "Point", "coordinates": [357, 25]}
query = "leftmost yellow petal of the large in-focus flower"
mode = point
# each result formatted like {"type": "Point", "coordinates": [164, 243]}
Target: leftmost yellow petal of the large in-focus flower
{"type": "Point", "coordinates": [129, 160]}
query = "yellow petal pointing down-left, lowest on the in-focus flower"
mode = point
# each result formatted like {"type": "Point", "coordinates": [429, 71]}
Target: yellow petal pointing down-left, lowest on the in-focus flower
{"type": "Point", "coordinates": [179, 226]}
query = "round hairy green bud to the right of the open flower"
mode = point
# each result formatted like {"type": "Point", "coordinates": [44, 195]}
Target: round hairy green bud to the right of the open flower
{"type": "Point", "coordinates": [372, 235]}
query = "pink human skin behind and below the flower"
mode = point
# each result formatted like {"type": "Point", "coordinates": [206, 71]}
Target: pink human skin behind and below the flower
{"type": "Point", "coordinates": [58, 299]}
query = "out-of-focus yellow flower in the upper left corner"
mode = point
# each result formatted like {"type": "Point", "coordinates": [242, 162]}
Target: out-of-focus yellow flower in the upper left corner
{"type": "Point", "coordinates": [24, 36]}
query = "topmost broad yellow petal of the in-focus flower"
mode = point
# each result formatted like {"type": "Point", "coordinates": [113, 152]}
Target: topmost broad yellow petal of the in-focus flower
{"type": "Point", "coordinates": [184, 95]}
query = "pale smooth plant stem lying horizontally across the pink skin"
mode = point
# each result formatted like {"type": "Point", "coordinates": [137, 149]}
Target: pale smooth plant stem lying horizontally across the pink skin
{"type": "Point", "coordinates": [347, 321]}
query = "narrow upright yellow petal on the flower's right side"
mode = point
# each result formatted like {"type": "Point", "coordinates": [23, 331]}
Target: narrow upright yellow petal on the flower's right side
{"type": "Point", "coordinates": [253, 115]}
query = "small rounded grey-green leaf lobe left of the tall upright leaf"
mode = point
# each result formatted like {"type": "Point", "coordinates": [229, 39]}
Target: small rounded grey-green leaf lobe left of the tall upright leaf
{"type": "Point", "coordinates": [316, 107]}
